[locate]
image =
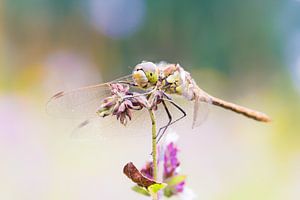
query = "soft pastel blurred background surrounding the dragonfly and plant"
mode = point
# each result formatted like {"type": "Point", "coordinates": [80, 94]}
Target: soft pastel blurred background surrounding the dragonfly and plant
{"type": "Point", "coordinates": [247, 52]}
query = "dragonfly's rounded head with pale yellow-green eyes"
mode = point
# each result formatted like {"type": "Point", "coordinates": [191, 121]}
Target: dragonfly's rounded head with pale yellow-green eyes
{"type": "Point", "coordinates": [145, 74]}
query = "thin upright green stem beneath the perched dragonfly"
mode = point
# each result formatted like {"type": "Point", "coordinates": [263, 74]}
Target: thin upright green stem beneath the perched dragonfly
{"type": "Point", "coordinates": [154, 148]}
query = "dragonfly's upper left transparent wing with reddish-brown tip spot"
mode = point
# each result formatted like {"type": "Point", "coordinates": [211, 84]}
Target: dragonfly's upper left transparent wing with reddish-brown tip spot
{"type": "Point", "coordinates": [81, 103]}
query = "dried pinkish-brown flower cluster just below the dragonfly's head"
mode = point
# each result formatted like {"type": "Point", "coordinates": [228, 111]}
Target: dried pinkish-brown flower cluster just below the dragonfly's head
{"type": "Point", "coordinates": [121, 102]}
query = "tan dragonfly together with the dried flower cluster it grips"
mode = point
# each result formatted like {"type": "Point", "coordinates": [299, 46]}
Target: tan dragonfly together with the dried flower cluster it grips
{"type": "Point", "coordinates": [147, 87]}
